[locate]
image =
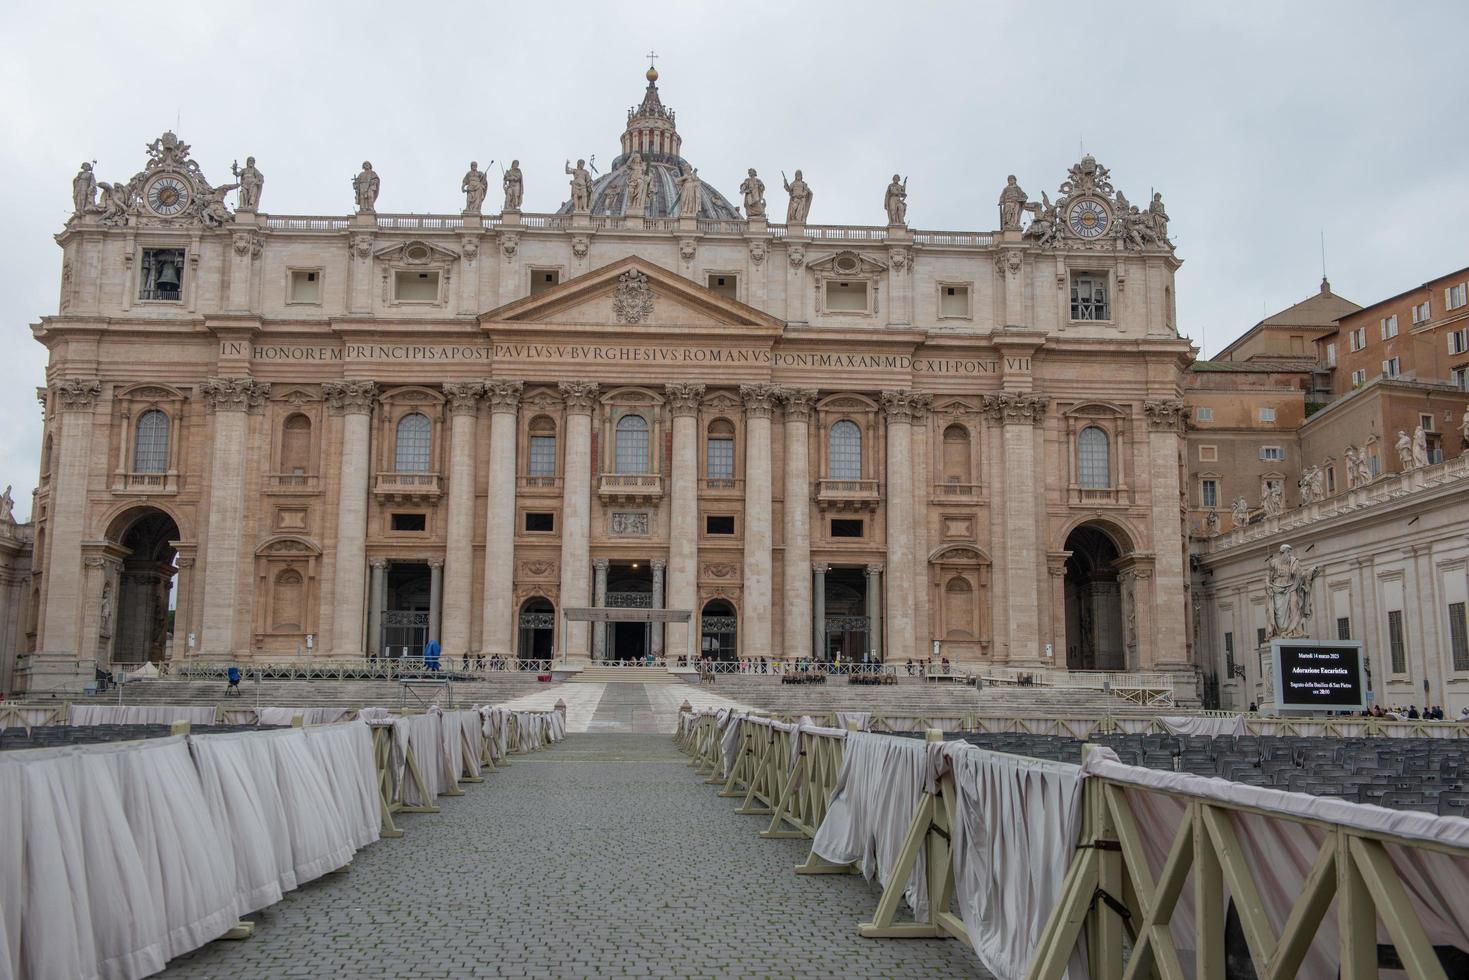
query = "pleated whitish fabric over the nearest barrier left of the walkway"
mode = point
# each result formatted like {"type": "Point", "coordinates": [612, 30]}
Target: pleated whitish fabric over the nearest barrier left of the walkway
{"type": "Point", "coordinates": [118, 857]}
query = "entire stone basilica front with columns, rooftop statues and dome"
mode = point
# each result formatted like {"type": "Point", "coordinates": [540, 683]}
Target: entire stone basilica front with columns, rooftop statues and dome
{"type": "Point", "coordinates": [349, 436]}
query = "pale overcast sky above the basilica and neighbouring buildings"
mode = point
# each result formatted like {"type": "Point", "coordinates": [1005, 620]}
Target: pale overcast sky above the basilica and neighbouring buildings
{"type": "Point", "coordinates": [1263, 124]}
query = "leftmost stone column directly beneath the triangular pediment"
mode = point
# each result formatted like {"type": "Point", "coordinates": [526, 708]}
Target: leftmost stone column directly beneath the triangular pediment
{"type": "Point", "coordinates": [500, 521]}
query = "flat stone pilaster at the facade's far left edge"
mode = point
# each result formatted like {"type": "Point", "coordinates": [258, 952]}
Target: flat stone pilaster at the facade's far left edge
{"type": "Point", "coordinates": [73, 405]}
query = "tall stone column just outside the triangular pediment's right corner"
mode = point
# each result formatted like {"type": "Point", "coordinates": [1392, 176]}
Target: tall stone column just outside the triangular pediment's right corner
{"type": "Point", "coordinates": [797, 514]}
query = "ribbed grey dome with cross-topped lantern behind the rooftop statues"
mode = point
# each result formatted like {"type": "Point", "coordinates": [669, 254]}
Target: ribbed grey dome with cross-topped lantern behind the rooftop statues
{"type": "Point", "coordinates": [652, 136]}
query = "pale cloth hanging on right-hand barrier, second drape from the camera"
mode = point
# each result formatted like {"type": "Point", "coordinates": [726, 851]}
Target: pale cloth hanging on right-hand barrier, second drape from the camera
{"type": "Point", "coordinates": [875, 800]}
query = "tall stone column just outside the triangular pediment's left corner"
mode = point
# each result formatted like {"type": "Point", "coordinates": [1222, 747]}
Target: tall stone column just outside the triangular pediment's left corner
{"type": "Point", "coordinates": [459, 556]}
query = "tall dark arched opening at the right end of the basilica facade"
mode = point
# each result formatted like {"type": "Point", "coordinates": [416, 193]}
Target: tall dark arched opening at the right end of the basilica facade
{"type": "Point", "coordinates": [1094, 602]}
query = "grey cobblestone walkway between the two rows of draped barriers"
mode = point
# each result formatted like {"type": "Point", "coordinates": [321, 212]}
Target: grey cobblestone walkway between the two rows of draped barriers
{"type": "Point", "coordinates": [603, 856]}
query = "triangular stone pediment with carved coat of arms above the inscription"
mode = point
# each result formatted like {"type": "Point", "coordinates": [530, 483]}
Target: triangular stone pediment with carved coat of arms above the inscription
{"type": "Point", "coordinates": [634, 295]}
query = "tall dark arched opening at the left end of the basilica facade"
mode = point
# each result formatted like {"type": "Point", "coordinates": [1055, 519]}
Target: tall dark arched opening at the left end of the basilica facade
{"type": "Point", "coordinates": [134, 616]}
